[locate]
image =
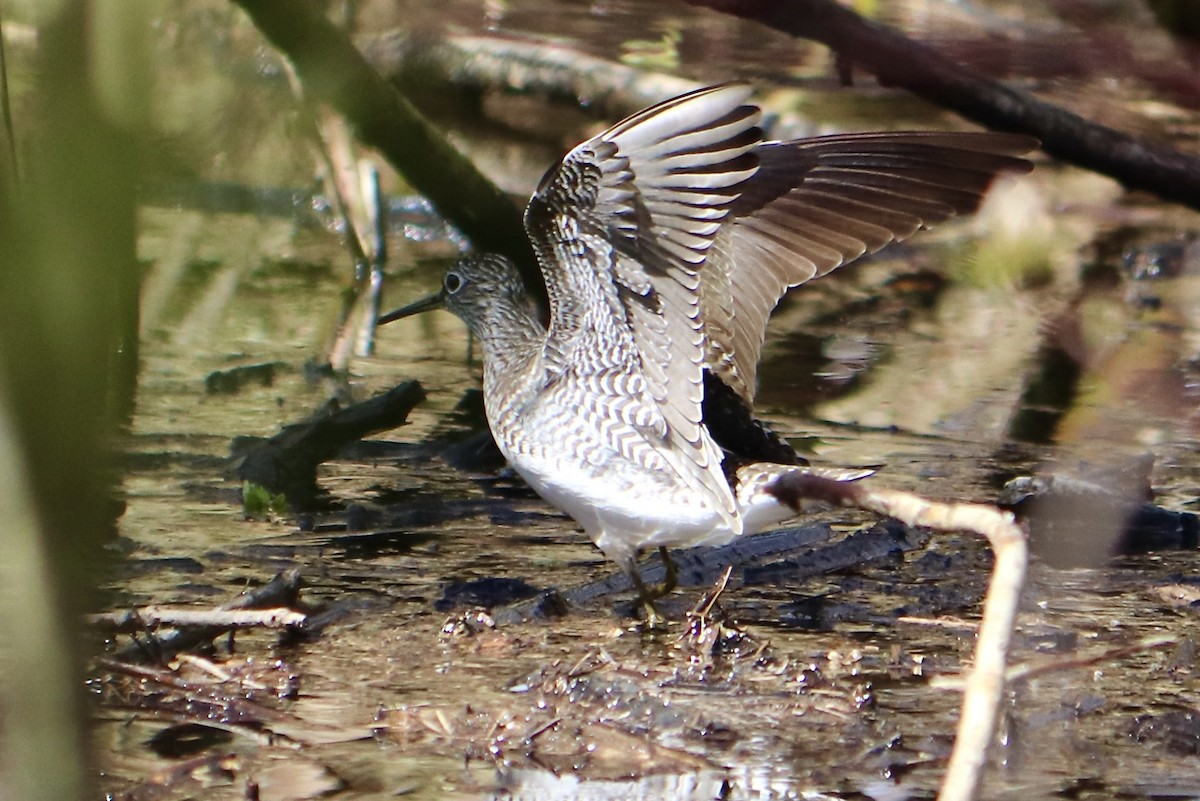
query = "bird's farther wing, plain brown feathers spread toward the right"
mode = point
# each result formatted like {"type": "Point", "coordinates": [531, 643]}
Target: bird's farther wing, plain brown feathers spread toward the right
{"type": "Point", "coordinates": [818, 204]}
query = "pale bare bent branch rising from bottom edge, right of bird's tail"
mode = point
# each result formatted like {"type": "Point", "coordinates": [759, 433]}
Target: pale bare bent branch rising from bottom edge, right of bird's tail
{"type": "Point", "coordinates": [986, 682]}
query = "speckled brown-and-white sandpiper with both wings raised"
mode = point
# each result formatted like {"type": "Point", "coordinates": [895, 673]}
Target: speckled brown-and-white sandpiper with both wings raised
{"type": "Point", "coordinates": [665, 243]}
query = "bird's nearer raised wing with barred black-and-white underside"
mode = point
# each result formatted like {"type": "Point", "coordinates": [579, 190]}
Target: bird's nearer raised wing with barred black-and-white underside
{"type": "Point", "coordinates": [622, 228]}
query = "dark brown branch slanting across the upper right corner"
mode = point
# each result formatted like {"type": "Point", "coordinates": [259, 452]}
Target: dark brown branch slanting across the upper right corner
{"type": "Point", "coordinates": [899, 62]}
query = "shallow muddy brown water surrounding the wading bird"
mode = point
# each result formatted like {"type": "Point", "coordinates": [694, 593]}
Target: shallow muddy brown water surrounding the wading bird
{"type": "Point", "coordinates": [920, 362]}
